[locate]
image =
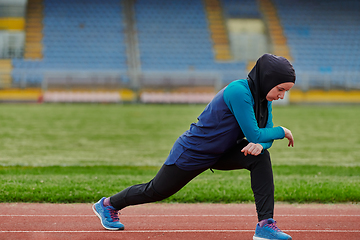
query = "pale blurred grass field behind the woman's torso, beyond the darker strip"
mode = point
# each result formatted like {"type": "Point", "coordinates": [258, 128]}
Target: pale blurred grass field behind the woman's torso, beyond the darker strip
{"type": "Point", "coordinates": [142, 135]}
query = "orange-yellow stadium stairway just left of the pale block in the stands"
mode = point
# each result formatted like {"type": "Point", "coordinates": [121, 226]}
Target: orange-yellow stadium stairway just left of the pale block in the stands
{"type": "Point", "coordinates": [218, 30]}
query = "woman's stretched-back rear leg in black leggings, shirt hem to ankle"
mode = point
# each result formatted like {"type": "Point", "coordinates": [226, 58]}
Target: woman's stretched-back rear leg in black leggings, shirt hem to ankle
{"type": "Point", "coordinates": [169, 180]}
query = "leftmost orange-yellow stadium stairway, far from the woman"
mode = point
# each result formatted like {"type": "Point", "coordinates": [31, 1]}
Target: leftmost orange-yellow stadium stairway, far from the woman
{"type": "Point", "coordinates": [33, 29]}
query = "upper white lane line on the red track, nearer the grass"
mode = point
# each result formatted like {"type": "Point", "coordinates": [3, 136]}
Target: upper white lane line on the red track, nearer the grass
{"type": "Point", "coordinates": [183, 215]}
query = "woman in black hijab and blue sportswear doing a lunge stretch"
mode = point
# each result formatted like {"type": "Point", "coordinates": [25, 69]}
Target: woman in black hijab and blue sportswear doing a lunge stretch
{"type": "Point", "coordinates": [233, 132]}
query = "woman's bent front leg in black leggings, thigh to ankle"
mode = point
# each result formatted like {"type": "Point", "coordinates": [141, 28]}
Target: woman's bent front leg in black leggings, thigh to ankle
{"type": "Point", "coordinates": [262, 182]}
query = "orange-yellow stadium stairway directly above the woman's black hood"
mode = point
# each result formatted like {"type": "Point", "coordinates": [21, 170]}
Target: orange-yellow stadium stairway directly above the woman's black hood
{"type": "Point", "coordinates": [276, 32]}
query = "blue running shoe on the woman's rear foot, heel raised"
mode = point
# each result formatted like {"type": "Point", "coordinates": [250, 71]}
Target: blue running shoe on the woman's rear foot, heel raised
{"type": "Point", "coordinates": [109, 216]}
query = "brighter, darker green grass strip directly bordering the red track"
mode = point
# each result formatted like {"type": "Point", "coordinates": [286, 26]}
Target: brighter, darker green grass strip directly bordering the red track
{"type": "Point", "coordinates": [55, 184]}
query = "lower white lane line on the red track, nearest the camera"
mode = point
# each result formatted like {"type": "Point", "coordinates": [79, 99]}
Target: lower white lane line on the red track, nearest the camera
{"type": "Point", "coordinates": [184, 231]}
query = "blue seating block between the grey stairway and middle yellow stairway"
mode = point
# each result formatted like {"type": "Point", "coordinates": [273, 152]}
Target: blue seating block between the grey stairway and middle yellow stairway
{"type": "Point", "coordinates": [174, 36]}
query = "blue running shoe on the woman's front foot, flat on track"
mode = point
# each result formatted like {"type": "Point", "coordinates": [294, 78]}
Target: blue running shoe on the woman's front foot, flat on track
{"type": "Point", "coordinates": [270, 231]}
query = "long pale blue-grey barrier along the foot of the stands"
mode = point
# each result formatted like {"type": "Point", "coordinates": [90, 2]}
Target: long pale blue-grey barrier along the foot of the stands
{"type": "Point", "coordinates": [306, 80]}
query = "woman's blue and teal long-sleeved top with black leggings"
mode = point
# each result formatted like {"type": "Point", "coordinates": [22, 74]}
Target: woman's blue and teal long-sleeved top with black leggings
{"type": "Point", "coordinates": [215, 141]}
